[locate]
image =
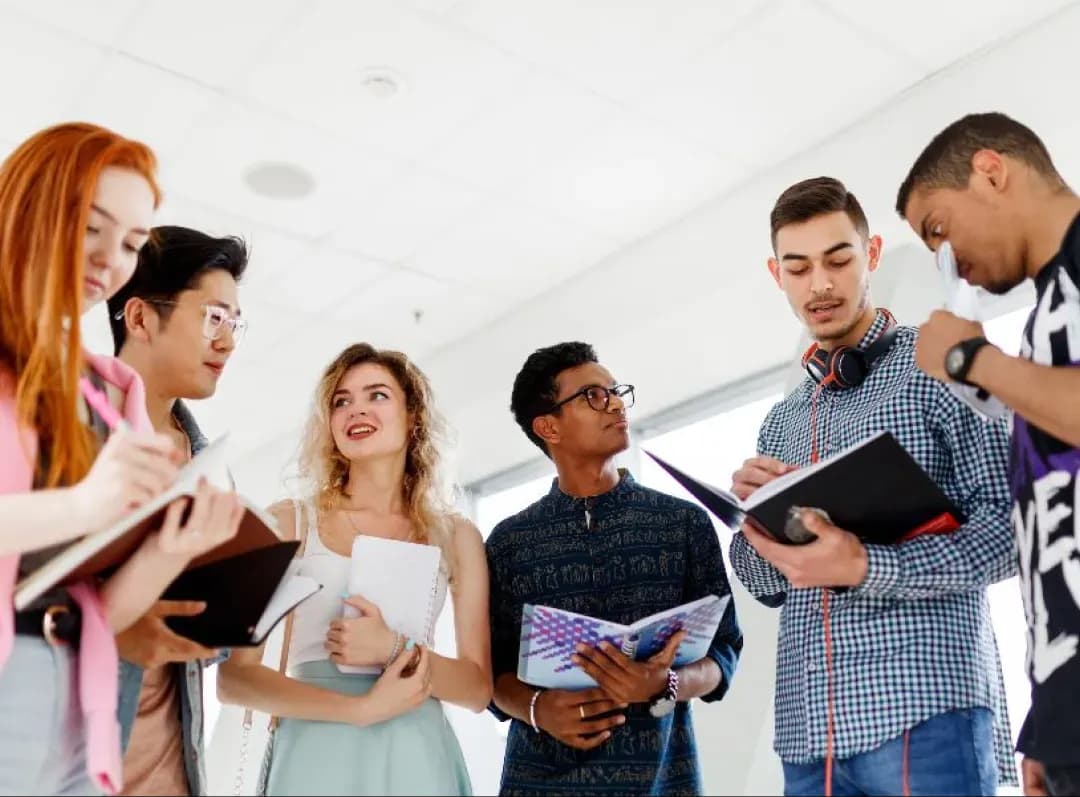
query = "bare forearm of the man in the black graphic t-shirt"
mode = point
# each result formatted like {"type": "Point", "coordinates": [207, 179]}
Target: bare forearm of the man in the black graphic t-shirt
{"type": "Point", "coordinates": [1045, 396]}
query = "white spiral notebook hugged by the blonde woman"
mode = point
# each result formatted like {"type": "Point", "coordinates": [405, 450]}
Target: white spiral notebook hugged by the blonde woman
{"type": "Point", "coordinates": [403, 580]}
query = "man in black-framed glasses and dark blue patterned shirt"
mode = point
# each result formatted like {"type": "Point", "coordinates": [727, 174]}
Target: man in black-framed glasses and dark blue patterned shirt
{"type": "Point", "coordinates": [601, 545]}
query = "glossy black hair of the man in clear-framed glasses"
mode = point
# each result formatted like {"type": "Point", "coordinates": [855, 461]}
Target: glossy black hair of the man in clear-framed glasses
{"type": "Point", "coordinates": [173, 261]}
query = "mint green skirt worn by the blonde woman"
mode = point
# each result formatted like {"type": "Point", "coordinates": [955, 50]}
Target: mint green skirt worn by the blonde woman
{"type": "Point", "coordinates": [412, 754]}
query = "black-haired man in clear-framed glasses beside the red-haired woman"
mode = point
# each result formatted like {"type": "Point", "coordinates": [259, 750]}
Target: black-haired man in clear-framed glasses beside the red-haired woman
{"type": "Point", "coordinates": [177, 322]}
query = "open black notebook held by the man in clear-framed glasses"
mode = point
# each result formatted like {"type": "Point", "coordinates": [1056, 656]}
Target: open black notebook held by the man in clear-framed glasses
{"type": "Point", "coordinates": [247, 596]}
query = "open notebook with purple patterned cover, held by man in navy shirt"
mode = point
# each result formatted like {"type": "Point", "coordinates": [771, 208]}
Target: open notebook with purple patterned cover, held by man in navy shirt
{"type": "Point", "coordinates": [549, 638]}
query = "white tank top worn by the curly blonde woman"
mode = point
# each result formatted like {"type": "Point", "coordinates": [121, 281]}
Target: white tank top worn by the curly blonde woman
{"type": "Point", "coordinates": [313, 618]}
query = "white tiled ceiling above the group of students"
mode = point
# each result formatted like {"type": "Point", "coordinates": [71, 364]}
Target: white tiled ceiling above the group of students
{"type": "Point", "coordinates": [534, 142]}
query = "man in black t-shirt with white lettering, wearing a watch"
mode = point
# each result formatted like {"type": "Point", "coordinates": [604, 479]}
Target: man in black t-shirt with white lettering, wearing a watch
{"type": "Point", "coordinates": [987, 185]}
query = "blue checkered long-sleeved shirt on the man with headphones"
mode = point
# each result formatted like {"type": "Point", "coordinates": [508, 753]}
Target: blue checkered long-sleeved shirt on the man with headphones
{"type": "Point", "coordinates": [915, 640]}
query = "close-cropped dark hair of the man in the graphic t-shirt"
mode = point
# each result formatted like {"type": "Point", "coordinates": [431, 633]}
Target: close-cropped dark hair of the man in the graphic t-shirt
{"type": "Point", "coordinates": [947, 161]}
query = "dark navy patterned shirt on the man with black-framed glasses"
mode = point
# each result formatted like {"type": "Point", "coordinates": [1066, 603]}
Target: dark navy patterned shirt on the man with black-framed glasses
{"type": "Point", "coordinates": [644, 552]}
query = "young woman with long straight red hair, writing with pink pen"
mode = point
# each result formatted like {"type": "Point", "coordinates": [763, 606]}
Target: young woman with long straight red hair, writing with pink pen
{"type": "Point", "coordinates": [77, 204]}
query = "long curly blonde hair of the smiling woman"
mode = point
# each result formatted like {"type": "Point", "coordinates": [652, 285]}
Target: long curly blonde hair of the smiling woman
{"type": "Point", "coordinates": [327, 470]}
